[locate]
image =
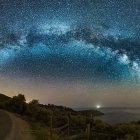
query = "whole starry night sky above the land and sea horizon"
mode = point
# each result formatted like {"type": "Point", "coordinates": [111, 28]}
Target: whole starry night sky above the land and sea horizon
{"type": "Point", "coordinates": [78, 53]}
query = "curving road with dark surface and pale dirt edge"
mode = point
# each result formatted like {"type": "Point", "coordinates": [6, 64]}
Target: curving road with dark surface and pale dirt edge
{"type": "Point", "coordinates": [13, 127]}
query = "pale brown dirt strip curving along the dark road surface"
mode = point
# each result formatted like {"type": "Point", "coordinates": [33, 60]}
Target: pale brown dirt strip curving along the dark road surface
{"type": "Point", "coordinates": [20, 129]}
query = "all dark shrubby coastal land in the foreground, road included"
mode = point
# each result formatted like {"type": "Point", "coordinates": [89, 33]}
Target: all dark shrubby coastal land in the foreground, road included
{"type": "Point", "coordinates": [51, 122]}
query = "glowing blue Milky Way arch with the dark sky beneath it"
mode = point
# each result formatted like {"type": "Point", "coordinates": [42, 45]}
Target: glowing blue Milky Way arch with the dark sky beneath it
{"type": "Point", "coordinates": [60, 51]}
